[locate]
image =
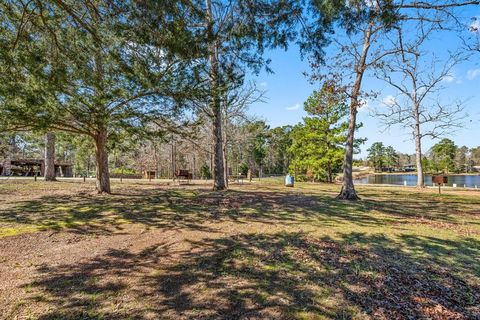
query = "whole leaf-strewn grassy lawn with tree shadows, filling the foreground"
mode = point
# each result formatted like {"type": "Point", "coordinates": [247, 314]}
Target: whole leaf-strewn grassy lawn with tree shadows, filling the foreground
{"type": "Point", "coordinates": [154, 251]}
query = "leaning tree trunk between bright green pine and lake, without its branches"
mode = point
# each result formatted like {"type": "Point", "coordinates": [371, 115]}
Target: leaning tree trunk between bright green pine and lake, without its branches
{"type": "Point", "coordinates": [348, 189]}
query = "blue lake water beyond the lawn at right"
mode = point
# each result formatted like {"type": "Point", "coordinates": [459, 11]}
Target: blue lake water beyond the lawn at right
{"type": "Point", "coordinates": [470, 181]}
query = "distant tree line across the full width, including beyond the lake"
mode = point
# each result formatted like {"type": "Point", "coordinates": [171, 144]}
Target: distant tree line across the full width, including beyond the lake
{"type": "Point", "coordinates": [255, 150]}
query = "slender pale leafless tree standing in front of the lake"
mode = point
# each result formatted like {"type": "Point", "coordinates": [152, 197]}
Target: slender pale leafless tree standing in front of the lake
{"type": "Point", "coordinates": [419, 76]}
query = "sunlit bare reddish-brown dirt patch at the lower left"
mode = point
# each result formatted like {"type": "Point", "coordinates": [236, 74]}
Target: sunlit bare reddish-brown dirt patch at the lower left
{"type": "Point", "coordinates": [24, 257]}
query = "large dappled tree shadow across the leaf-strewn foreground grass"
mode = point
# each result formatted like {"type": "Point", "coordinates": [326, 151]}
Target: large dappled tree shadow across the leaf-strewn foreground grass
{"type": "Point", "coordinates": [276, 276]}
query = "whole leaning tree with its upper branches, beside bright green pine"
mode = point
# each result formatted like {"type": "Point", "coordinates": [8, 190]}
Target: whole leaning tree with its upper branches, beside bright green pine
{"type": "Point", "coordinates": [363, 50]}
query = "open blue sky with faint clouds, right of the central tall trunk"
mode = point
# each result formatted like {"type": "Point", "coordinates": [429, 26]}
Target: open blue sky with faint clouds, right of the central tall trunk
{"type": "Point", "coordinates": [288, 88]}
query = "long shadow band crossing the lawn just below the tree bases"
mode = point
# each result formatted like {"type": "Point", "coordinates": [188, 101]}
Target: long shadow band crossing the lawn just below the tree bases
{"type": "Point", "coordinates": [181, 209]}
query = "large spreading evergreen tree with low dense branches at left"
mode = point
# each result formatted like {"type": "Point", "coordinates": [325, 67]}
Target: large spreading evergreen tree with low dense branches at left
{"type": "Point", "coordinates": [92, 68]}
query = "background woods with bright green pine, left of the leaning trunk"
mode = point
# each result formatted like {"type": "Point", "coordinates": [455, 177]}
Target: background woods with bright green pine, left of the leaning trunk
{"type": "Point", "coordinates": [311, 150]}
